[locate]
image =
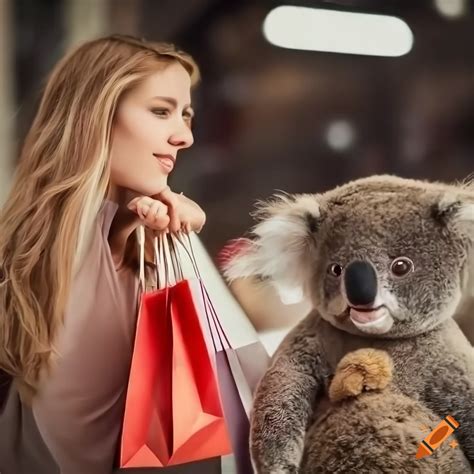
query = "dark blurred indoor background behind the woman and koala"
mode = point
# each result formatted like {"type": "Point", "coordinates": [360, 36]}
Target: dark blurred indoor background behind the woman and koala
{"type": "Point", "coordinates": [270, 118]}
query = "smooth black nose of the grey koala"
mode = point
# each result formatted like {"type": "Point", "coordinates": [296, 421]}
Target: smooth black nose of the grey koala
{"type": "Point", "coordinates": [361, 283]}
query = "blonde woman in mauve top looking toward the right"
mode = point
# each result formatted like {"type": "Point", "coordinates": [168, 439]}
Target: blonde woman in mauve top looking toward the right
{"type": "Point", "coordinates": [114, 114]}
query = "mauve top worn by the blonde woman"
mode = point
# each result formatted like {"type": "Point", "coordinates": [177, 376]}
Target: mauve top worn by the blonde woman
{"type": "Point", "coordinates": [74, 423]}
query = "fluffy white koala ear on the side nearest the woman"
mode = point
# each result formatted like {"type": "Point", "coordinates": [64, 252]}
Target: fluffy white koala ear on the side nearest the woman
{"type": "Point", "coordinates": [283, 241]}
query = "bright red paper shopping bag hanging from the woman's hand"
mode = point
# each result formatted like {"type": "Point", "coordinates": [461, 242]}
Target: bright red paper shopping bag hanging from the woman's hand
{"type": "Point", "coordinates": [173, 413]}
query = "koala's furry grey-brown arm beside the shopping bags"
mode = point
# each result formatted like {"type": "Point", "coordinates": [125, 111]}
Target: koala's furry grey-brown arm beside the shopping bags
{"type": "Point", "coordinates": [285, 399]}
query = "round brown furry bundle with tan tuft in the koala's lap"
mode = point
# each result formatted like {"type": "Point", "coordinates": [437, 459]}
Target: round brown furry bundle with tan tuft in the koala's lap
{"type": "Point", "coordinates": [369, 427]}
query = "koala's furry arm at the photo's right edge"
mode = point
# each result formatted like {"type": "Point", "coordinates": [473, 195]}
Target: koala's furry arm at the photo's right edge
{"type": "Point", "coordinates": [450, 391]}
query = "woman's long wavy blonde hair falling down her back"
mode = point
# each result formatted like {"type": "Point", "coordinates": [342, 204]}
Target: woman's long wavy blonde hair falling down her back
{"type": "Point", "coordinates": [59, 187]}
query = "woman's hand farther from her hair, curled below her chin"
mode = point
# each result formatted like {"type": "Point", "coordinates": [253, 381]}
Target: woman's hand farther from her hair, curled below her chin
{"type": "Point", "coordinates": [184, 213]}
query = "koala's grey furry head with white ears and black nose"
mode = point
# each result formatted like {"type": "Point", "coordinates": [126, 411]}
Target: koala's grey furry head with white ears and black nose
{"type": "Point", "coordinates": [383, 255]}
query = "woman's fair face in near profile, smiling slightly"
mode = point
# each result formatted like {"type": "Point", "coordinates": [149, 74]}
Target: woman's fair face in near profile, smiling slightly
{"type": "Point", "coordinates": [152, 123]}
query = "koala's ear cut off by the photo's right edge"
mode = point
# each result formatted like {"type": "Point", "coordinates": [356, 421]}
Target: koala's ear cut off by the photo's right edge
{"type": "Point", "coordinates": [456, 210]}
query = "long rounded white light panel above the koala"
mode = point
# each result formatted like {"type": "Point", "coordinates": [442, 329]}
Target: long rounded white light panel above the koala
{"type": "Point", "coordinates": [315, 29]}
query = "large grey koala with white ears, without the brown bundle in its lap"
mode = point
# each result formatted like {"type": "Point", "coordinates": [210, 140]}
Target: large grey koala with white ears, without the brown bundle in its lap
{"type": "Point", "coordinates": [386, 262]}
